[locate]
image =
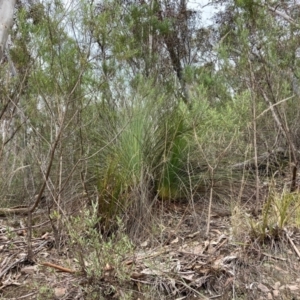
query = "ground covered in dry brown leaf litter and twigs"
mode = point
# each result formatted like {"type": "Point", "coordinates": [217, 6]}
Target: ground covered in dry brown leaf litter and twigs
{"type": "Point", "coordinates": [183, 263]}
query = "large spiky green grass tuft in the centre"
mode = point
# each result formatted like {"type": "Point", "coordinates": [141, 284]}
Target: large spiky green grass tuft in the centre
{"type": "Point", "coordinates": [149, 141]}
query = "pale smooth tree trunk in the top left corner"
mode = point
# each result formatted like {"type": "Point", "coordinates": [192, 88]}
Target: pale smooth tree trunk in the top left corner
{"type": "Point", "coordinates": [6, 21]}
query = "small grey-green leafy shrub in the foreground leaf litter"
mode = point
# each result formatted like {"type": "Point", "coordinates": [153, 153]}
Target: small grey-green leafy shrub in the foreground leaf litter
{"type": "Point", "coordinates": [97, 256]}
